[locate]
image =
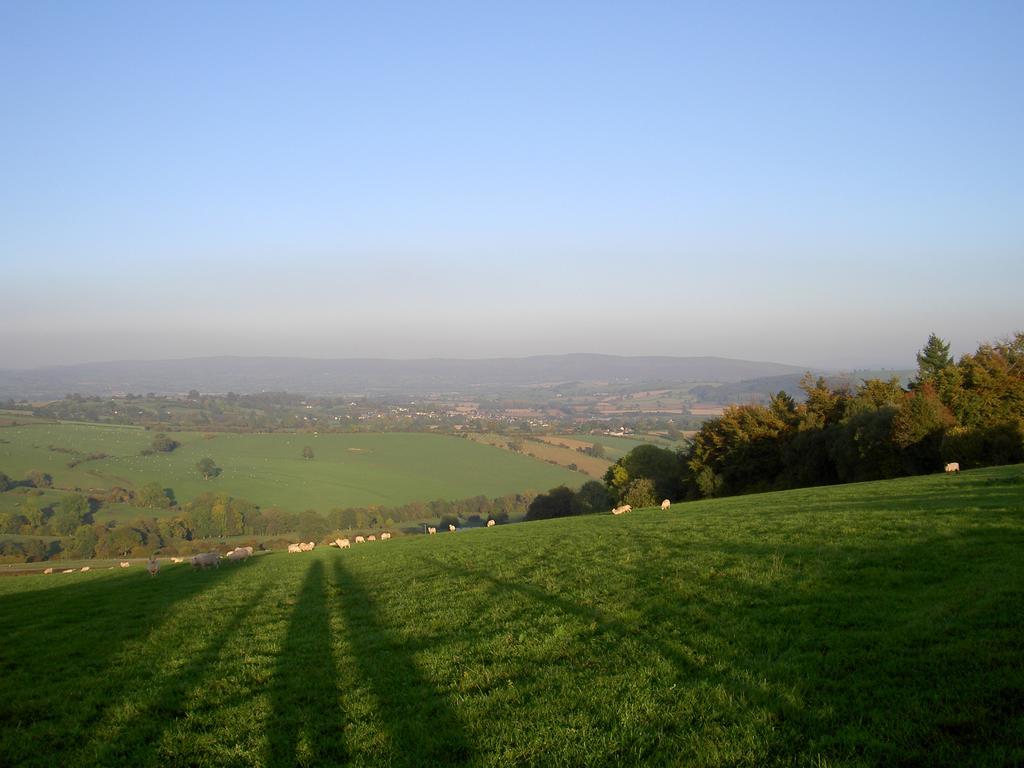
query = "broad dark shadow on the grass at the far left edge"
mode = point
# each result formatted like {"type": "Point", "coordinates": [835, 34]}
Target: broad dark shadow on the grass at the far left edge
{"type": "Point", "coordinates": [62, 639]}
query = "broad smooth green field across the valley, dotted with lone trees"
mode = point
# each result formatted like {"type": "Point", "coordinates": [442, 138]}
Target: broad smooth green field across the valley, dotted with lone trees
{"type": "Point", "coordinates": [350, 471]}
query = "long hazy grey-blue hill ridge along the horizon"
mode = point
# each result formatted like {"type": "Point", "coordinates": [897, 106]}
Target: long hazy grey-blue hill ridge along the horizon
{"type": "Point", "coordinates": [364, 376]}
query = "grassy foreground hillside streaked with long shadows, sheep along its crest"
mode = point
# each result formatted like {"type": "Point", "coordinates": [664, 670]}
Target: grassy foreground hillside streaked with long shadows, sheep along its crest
{"type": "Point", "coordinates": [867, 625]}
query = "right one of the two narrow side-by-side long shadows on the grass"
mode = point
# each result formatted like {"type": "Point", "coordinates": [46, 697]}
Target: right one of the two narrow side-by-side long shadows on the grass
{"type": "Point", "coordinates": [422, 727]}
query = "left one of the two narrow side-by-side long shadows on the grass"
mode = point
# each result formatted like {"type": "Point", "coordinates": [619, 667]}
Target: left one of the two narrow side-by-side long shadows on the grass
{"type": "Point", "coordinates": [307, 722]}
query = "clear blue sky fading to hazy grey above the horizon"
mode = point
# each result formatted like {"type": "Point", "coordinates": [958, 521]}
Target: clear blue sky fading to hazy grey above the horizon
{"type": "Point", "coordinates": [817, 184]}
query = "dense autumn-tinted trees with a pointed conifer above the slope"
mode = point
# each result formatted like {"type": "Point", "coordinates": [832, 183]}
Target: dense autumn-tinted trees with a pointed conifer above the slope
{"type": "Point", "coordinates": [971, 412]}
